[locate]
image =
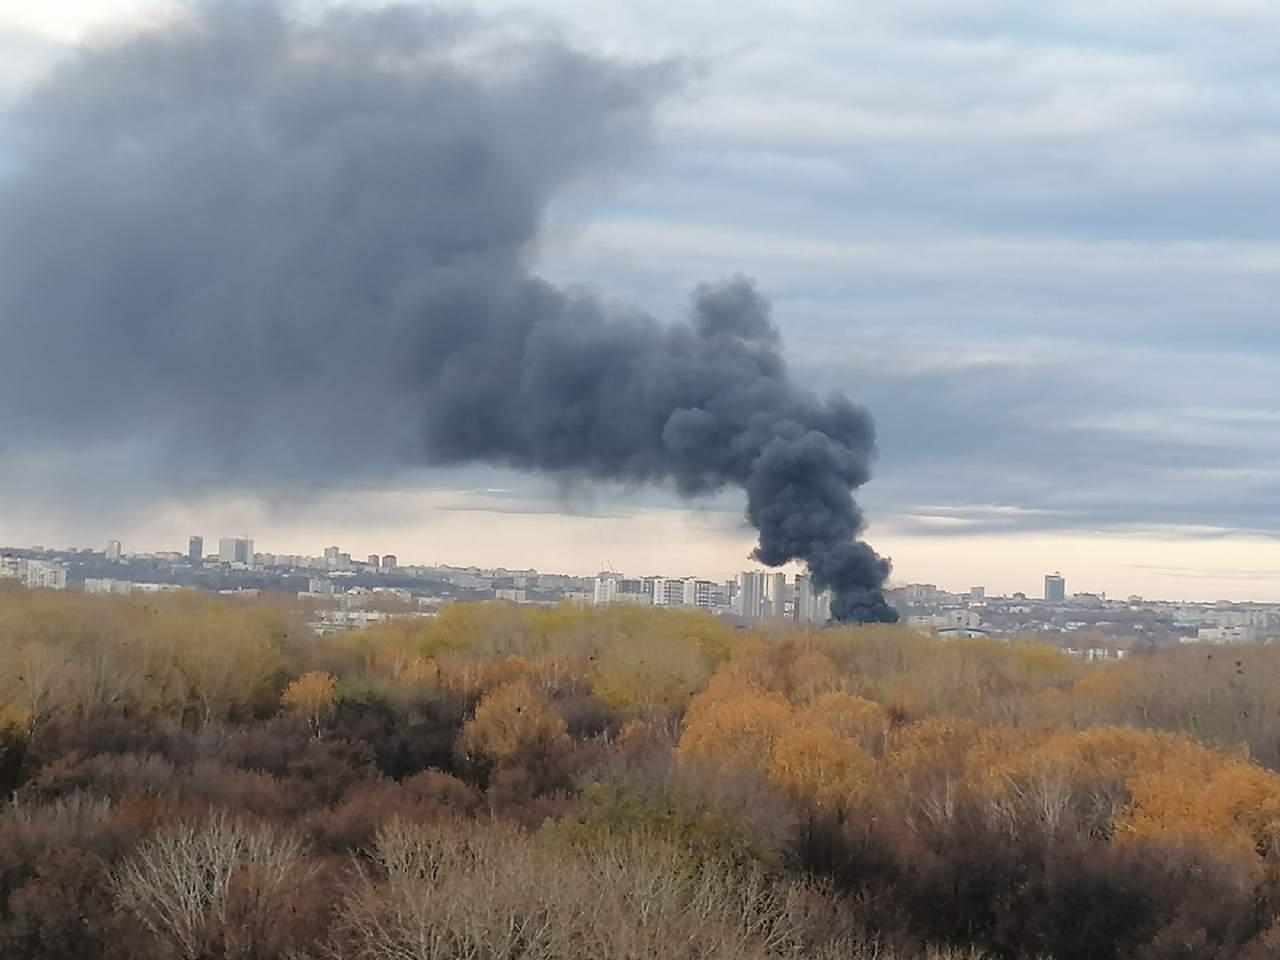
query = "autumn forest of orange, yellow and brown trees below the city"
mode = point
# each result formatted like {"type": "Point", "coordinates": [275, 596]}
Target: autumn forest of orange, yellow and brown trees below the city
{"type": "Point", "coordinates": [193, 776]}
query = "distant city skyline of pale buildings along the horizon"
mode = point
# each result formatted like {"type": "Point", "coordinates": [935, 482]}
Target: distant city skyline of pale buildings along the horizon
{"type": "Point", "coordinates": [350, 593]}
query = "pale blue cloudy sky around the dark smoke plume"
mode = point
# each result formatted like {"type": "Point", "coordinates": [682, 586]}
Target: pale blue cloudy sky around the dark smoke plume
{"type": "Point", "coordinates": [1039, 244]}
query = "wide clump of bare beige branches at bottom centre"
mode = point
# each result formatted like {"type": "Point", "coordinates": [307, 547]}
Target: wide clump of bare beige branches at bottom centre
{"type": "Point", "coordinates": [493, 894]}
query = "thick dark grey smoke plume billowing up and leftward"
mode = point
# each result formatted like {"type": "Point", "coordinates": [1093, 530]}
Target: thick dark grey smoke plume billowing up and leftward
{"type": "Point", "coordinates": [299, 248]}
